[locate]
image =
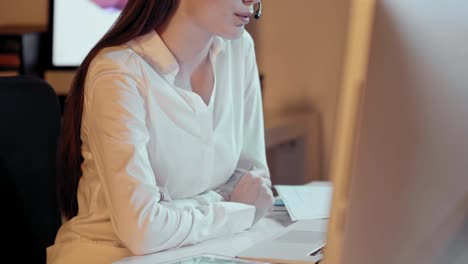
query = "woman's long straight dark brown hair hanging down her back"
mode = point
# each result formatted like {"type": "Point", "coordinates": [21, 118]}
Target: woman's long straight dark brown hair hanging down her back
{"type": "Point", "coordinates": [137, 18]}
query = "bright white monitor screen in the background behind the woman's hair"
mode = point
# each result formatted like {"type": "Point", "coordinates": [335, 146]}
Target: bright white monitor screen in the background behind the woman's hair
{"type": "Point", "coordinates": [77, 27]}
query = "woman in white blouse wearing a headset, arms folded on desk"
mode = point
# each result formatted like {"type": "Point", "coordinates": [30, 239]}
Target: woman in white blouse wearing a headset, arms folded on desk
{"type": "Point", "coordinates": [163, 142]}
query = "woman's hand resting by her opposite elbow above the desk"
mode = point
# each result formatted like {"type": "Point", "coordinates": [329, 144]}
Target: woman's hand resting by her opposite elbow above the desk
{"type": "Point", "coordinates": [254, 189]}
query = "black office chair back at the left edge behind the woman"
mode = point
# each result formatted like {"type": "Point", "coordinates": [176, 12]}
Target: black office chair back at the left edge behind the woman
{"type": "Point", "coordinates": [29, 133]}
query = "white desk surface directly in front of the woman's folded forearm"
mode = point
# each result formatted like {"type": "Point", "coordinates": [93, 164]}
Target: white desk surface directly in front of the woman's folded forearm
{"type": "Point", "coordinates": [227, 246]}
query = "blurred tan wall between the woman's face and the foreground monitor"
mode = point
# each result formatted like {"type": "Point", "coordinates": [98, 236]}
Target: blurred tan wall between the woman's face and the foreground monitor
{"type": "Point", "coordinates": [300, 48]}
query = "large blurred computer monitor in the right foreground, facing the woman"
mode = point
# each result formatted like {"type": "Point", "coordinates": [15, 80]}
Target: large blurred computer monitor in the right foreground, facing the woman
{"type": "Point", "coordinates": [400, 160]}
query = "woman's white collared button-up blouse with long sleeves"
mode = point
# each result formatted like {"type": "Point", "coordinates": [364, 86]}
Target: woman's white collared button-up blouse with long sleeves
{"type": "Point", "coordinates": [159, 163]}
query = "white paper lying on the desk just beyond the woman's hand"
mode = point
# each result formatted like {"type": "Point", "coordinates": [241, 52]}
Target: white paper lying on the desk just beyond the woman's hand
{"type": "Point", "coordinates": [311, 201]}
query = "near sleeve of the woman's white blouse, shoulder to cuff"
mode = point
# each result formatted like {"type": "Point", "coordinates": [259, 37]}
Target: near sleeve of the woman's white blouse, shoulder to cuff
{"type": "Point", "coordinates": [118, 138]}
